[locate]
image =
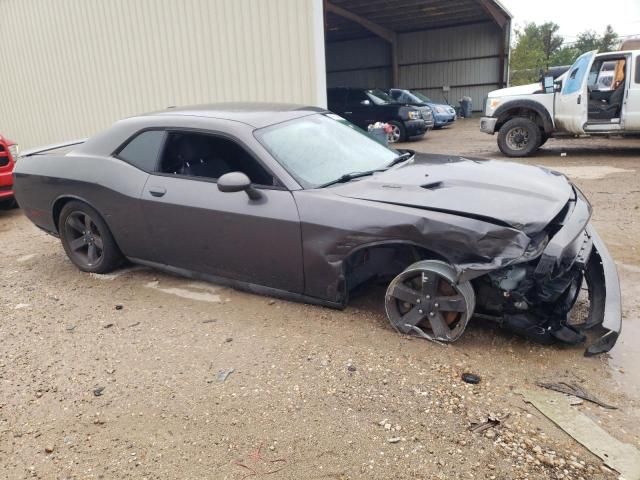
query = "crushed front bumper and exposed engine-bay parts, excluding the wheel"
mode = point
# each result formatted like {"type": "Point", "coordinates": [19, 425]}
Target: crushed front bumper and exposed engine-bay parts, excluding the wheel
{"type": "Point", "coordinates": [572, 287]}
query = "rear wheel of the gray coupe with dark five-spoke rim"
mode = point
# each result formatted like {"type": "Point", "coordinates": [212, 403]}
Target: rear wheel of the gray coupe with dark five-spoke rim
{"type": "Point", "coordinates": [87, 240]}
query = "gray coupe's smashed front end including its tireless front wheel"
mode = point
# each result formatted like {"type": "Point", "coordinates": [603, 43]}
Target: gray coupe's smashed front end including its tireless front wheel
{"type": "Point", "coordinates": [563, 287]}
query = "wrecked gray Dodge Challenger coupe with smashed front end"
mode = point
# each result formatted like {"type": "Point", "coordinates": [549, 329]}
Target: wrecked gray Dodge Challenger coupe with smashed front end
{"type": "Point", "coordinates": [296, 202]}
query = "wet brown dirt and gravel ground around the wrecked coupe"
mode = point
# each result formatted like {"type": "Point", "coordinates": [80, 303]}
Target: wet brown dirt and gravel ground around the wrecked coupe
{"type": "Point", "coordinates": [118, 376]}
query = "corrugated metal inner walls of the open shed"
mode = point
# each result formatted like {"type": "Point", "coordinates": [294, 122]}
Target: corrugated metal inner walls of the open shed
{"type": "Point", "coordinates": [465, 58]}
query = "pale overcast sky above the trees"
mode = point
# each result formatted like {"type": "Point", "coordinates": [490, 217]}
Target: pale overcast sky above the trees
{"type": "Point", "coordinates": [575, 16]}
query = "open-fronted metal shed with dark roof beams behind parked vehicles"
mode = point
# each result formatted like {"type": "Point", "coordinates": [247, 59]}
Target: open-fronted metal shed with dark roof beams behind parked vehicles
{"type": "Point", "coordinates": [427, 45]}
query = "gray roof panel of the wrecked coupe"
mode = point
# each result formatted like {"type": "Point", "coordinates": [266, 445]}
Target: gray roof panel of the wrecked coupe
{"type": "Point", "coordinates": [255, 114]}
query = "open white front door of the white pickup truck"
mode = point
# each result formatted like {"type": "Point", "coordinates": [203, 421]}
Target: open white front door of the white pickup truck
{"type": "Point", "coordinates": [572, 102]}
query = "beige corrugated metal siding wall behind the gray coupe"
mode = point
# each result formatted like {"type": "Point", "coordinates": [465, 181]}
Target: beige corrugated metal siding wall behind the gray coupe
{"type": "Point", "coordinates": [69, 68]}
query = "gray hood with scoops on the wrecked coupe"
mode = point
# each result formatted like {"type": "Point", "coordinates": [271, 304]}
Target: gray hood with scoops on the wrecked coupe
{"type": "Point", "coordinates": [521, 196]}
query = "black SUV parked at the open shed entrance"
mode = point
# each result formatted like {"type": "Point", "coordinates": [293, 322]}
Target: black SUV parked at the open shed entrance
{"type": "Point", "coordinates": [364, 107]}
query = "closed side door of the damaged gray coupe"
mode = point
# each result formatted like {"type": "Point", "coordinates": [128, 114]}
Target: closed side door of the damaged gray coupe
{"type": "Point", "coordinates": [195, 226]}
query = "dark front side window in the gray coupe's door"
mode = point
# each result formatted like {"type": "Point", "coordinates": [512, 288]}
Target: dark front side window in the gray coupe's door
{"type": "Point", "coordinates": [207, 156]}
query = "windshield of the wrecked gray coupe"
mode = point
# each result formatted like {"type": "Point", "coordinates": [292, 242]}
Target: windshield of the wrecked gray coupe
{"type": "Point", "coordinates": [318, 149]}
